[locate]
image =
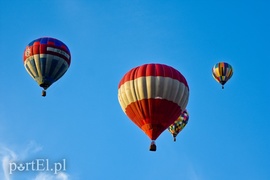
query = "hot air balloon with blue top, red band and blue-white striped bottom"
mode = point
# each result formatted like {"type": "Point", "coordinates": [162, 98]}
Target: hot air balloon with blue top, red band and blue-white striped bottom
{"type": "Point", "coordinates": [46, 60]}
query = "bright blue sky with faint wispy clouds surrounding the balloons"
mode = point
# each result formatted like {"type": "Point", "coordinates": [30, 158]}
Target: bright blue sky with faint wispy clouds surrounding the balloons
{"type": "Point", "coordinates": [80, 121]}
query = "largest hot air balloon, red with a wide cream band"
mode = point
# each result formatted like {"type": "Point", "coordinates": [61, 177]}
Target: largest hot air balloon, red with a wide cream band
{"type": "Point", "coordinates": [153, 96]}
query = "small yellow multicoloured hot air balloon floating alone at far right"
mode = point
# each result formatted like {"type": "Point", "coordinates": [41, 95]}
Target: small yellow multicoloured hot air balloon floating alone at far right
{"type": "Point", "coordinates": [222, 72]}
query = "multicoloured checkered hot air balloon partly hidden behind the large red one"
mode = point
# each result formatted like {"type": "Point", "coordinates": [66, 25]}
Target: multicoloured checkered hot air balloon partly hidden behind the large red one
{"type": "Point", "coordinates": [179, 124]}
